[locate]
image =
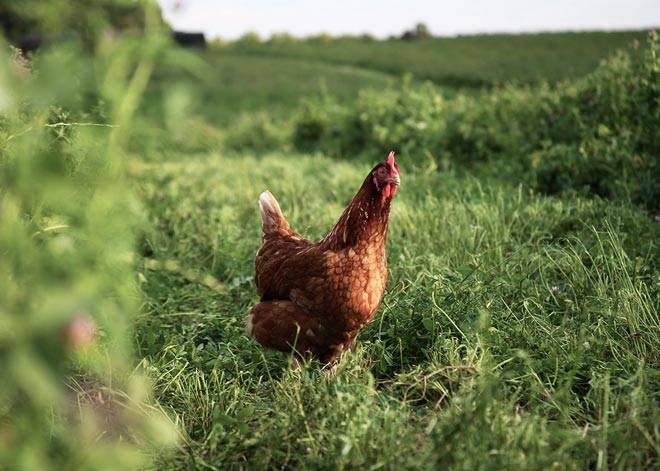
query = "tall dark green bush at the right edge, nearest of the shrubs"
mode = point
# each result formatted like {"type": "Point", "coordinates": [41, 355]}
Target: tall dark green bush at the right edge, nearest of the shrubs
{"type": "Point", "coordinates": [607, 139]}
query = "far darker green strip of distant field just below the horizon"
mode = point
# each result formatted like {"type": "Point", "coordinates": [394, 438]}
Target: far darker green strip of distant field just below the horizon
{"type": "Point", "coordinates": [464, 61]}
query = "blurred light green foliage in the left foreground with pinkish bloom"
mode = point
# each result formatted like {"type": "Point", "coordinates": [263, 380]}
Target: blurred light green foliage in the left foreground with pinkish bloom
{"type": "Point", "coordinates": [70, 397]}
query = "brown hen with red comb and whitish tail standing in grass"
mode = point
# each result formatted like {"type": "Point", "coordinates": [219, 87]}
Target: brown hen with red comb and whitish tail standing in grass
{"type": "Point", "coordinates": [315, 297]}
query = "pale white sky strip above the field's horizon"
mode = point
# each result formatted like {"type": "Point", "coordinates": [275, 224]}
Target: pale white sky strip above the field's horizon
{"type": "Point", "coordinates": [229, 19]}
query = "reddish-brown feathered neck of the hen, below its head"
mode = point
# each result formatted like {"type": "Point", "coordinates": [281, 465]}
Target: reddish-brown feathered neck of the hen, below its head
{"type": "Point", "coordinates": [364, 220]}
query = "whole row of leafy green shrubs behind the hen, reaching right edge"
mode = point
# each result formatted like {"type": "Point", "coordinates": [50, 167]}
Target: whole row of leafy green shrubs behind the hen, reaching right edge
{"type": "Point", "coordinates": [596, 135]}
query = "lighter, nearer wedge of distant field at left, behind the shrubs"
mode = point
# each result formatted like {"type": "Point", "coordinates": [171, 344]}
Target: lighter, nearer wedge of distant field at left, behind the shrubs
{"type": "Point", "coordinates": [236, 83]}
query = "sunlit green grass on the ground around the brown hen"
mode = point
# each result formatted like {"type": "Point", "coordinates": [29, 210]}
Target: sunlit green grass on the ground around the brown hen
{"type": "Point", "coordinates": [517, 330]}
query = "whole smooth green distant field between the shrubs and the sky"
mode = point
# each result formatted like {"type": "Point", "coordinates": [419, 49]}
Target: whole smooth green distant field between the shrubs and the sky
{"type": "Point", "coordinates": [272, 77]}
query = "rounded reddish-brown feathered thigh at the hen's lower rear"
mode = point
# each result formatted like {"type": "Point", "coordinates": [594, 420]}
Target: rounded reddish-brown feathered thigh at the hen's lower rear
{"type": "Point", "coordinates": [283, 326]}
